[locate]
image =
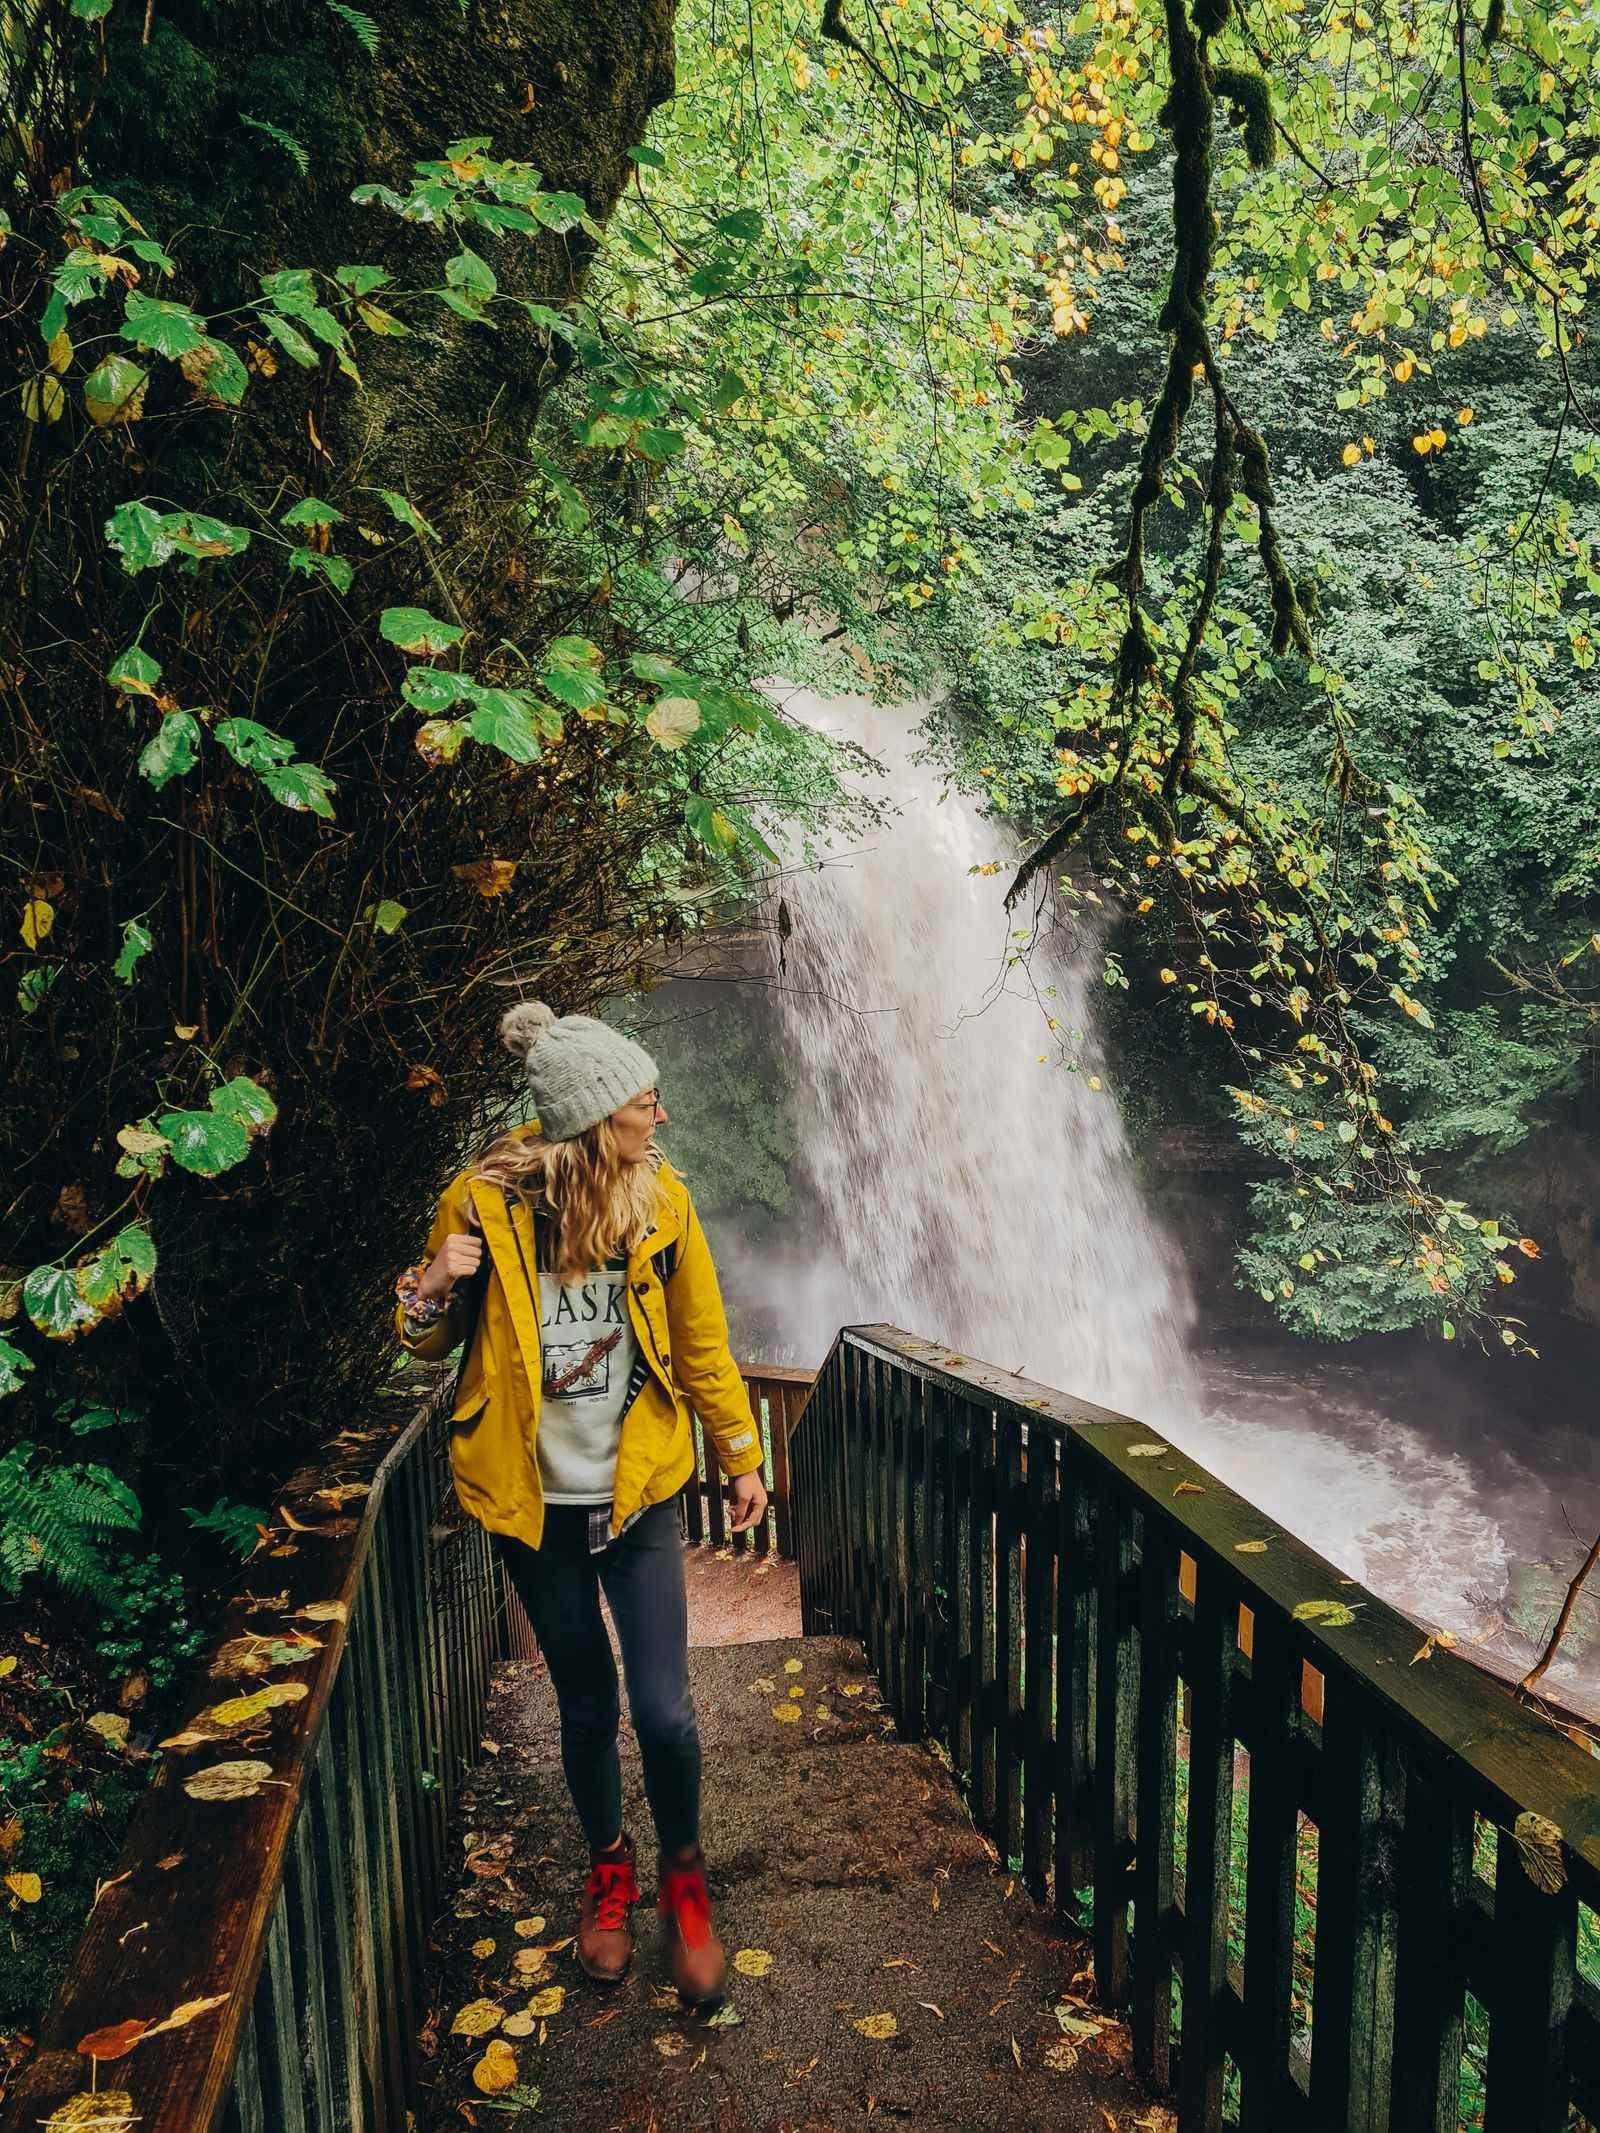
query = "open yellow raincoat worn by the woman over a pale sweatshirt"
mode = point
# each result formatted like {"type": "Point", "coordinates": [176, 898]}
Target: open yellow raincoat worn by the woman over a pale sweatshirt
{"type": "Point", "coordinates": [682, 1332]}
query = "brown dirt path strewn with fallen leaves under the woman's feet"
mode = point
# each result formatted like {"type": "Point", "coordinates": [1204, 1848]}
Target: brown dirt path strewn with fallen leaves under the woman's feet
{"type": "Point", "coordinates": [837, 1853]}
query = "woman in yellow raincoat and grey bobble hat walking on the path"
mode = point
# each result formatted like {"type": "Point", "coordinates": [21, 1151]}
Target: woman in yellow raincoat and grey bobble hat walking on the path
{"type": "Point", "coordinates": [575, 1270]}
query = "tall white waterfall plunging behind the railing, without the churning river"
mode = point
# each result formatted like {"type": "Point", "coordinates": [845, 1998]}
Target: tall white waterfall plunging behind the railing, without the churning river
{"type": "Point", "coordinates": [961, 1185]}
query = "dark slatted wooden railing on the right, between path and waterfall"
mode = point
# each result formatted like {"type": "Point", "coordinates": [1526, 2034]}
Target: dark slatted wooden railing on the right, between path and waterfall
{"type": "Point", "coordinates": [1337, 1878]}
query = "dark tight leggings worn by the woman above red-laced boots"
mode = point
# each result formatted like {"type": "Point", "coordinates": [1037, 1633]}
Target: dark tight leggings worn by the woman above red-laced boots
{"type": "Point", "coordinates": [643, 1577]}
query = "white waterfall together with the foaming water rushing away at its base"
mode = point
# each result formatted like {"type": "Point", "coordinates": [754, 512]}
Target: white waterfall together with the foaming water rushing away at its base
{"type": "Point", "coordinates": [982, 1198]}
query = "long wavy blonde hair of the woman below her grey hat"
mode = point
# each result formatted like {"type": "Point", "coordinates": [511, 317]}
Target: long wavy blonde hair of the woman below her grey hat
{"type": "Point", "coordinates": [598, 1204]}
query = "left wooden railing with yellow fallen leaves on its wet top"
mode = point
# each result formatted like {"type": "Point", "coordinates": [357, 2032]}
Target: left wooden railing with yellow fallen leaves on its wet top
{"type": "Point", "coordinates": [293, 1910]}
